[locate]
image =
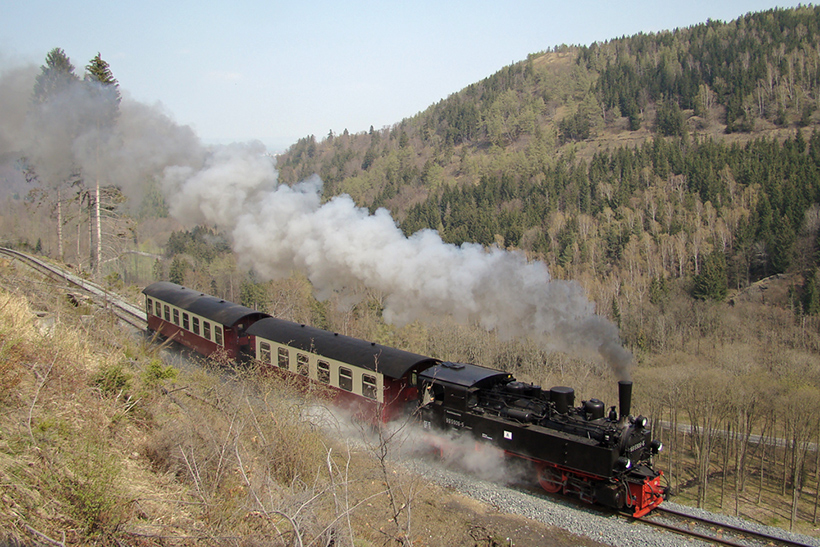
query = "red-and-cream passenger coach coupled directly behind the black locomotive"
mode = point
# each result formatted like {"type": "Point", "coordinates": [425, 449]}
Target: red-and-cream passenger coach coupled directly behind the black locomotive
{"type": "Point", "coordinates": [371, 379]}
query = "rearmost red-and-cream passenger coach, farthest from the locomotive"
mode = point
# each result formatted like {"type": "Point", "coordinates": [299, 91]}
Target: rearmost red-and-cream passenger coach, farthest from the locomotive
{"type": "Point", "coordinates": [199, 321]}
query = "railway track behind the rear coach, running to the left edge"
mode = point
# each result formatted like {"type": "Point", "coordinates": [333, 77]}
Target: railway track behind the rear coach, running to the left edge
{"type": "Point", "coordinates": [124, 310]}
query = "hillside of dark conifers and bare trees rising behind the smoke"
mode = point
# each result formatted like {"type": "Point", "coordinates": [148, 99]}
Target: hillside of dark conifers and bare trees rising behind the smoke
{"type": "Point", "coordinates": [688, 154]}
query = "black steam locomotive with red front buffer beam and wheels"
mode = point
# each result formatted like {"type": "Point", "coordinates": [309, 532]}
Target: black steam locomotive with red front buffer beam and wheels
{"type": "Point", "coordinates": [602, 457]}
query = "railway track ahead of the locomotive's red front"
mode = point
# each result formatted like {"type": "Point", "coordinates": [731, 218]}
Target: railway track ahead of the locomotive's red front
{"type": "Point", "coordinates": [714, 532]}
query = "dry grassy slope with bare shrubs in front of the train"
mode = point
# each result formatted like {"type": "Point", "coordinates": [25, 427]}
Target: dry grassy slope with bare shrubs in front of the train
{"type": "Point", "coordinates": [104, 443]}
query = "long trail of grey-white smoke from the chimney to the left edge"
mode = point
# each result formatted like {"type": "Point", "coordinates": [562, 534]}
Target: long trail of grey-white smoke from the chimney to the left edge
{"type": "Point", "coordinates": [278, 229]}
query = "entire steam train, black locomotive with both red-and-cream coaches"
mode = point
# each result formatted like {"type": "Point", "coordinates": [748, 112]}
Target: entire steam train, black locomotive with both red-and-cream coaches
{"type": "Point", "coordinates": [602, 457]}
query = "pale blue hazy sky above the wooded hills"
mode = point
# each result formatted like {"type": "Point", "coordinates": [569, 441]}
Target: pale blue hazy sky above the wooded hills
{"type": "Point", "coordinates": [277, 71]}
